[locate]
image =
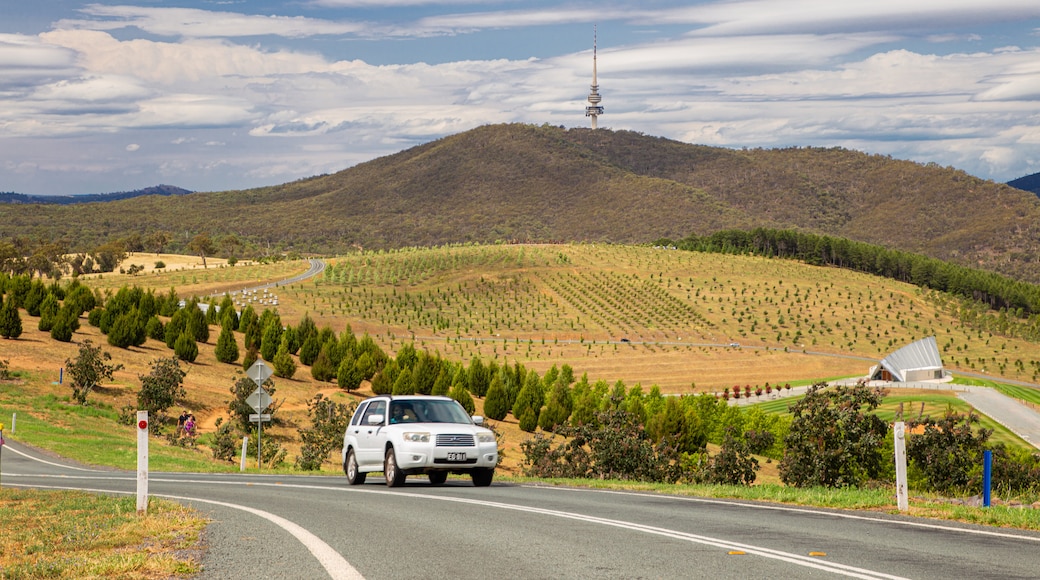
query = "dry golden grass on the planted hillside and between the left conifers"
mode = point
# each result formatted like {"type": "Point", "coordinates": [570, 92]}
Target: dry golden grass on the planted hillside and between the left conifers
{"type": "Point", "coordinates": [640, 315]}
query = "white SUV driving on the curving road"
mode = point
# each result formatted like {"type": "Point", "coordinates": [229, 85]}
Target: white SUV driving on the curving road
{"type": "Point", "coordinates": [412, 435]}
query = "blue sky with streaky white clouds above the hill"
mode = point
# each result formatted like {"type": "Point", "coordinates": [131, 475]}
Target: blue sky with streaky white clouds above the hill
{"type": "Point", "coordinates": [213, 95]}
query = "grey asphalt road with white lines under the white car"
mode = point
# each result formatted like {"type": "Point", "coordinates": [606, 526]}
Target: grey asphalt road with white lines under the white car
{"type": "Point", "coordinates": [320, 528]}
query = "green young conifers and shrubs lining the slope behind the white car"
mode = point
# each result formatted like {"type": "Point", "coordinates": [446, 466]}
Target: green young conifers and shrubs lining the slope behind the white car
{"type": "Point", "coordinates": [834, 439]}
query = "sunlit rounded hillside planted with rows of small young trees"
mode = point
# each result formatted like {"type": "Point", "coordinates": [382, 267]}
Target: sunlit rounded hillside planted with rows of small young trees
{"type": "Point", "coordinates": [580, 302]}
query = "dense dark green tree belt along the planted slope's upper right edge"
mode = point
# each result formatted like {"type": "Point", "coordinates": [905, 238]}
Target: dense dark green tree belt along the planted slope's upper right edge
{"type": "Point", "coordinates": [999, 293]}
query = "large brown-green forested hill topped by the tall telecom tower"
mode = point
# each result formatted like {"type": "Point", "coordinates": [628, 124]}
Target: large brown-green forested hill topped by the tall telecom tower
{"type": "Point", "coordinates": [529, 183]}
